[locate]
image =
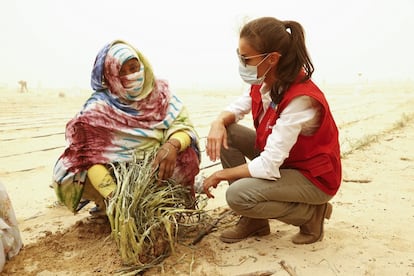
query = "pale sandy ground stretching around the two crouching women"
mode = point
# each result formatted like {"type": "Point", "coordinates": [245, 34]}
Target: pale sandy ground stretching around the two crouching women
{"type": "Point", "coordinates": [369, 233]}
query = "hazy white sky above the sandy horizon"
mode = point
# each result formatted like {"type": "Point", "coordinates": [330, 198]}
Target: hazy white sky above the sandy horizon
{"type": "Point", "coordinates": [53, 43]}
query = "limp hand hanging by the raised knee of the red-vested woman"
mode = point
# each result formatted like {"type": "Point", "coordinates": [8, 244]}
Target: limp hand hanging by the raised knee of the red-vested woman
{"type": "Point", "coordinates": [217, 137]}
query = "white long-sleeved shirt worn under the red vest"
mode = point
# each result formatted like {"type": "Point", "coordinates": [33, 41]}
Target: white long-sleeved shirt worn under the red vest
{"type": "Point", "coordinates": [301, 116]}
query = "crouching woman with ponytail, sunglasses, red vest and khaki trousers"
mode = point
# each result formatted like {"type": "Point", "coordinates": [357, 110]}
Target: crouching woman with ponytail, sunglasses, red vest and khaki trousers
{"type": "Point", "coordinates": [294, 166]}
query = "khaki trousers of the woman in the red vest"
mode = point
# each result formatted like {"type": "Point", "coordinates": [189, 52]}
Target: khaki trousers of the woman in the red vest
{"type": "Point", "coordinates": [291, 199]}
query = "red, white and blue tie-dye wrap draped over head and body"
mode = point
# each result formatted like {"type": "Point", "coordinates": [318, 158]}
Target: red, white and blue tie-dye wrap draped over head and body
{"type": "Point", "coordinates": [110, 128]}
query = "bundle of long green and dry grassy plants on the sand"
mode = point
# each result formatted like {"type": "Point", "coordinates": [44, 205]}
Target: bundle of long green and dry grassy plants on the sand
{"type": "Point", "coordinates": [146, 214]}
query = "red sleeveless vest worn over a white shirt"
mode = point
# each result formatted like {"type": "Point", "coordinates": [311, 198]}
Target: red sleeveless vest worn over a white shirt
{"type": "Point", "coordinates": [317, 157]}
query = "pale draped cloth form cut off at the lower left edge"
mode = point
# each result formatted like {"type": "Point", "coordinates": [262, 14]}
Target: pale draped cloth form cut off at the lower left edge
{"type": "Point", "coordinates": [10, 239]}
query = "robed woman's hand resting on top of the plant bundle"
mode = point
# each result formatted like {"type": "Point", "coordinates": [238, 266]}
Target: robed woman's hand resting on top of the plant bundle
{"type": "Point", "coordinates": [165, 161]}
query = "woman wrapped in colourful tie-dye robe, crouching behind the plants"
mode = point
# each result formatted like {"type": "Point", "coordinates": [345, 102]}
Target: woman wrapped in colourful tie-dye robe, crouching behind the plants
{"type": "Point", "coordinates": [129, 113]}
